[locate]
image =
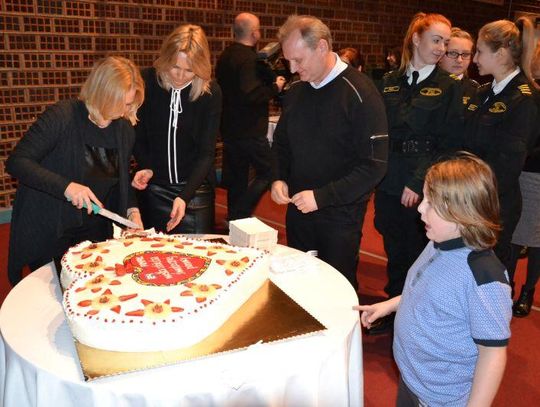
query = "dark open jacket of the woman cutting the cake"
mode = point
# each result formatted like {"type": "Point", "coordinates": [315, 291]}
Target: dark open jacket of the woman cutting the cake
{"type": "Point", "coordinates": [45, 161]}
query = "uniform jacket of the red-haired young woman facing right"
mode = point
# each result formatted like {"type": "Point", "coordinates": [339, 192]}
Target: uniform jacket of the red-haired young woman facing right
{"type": "Point", "coordinates": [424, 123]}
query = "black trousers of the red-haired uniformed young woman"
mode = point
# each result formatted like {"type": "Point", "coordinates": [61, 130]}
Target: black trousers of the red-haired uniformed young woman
{"type": "Point", "coordinates": [403, 235]}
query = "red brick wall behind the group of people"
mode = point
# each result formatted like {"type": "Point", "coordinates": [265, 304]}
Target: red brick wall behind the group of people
{"type": "Point", "coordinates": [47, 46]}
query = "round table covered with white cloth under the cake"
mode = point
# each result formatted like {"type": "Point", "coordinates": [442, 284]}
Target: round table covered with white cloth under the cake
{"type": "Point", "coordinates": [39, 365]}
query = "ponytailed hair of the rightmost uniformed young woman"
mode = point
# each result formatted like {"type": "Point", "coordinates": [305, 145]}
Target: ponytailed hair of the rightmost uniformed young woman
{"type": "Point", "coordinates": [517, 37]}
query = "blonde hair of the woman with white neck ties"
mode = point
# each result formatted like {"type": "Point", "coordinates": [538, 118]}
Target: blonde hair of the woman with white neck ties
{"type": "Point", "coordinates": [191, 40]}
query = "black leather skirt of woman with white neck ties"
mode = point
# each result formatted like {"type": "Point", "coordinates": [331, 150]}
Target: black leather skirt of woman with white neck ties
{"type": "Point", "coordinates": [155, 204]}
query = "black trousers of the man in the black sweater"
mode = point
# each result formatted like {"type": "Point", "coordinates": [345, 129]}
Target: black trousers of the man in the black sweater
{"type": "Point", "coordinates": [337, 243]}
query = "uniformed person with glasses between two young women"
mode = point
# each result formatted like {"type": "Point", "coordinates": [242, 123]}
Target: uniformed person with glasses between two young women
{"type": "Point", "coordinates": [457, 58]}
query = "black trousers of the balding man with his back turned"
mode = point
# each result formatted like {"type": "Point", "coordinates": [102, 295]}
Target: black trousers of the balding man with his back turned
{"type": "Point", "coordinates": [238, 156]}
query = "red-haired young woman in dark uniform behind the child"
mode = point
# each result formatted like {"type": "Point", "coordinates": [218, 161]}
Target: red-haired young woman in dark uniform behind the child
{"type": "Point", "coordinates": [425, 120]}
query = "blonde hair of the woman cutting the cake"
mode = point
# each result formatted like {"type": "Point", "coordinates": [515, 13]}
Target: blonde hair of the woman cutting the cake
{"type": "Point", "coordinates": [104, 90]}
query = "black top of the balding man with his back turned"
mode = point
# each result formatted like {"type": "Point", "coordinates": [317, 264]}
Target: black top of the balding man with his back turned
{"type": "Point", "coordinates": [247, 85]}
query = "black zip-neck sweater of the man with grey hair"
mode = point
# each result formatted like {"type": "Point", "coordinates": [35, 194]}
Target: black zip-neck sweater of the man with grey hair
{"type": "Point", "coordinates": [332, 140]}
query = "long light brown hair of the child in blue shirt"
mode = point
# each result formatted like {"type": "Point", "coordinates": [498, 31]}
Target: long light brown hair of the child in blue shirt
{"type": "Point", "coordinates": [463, 190]}
